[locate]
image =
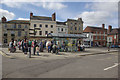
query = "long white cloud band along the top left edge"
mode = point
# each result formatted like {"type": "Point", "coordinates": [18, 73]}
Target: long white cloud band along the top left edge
{"type": "Point", "coordinates": [45, 4]}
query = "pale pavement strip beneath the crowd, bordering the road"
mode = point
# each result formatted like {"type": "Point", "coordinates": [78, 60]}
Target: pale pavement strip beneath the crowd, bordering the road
{"type": "Point", "coordinates": [62, 55]}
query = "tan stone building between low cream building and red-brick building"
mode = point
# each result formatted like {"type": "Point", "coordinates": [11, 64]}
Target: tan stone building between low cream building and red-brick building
{"type": "Point", "coordinates": [75, 26]}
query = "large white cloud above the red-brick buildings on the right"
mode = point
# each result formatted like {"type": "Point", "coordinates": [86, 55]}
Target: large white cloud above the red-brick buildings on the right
{"type": "Point", "coordinates": [100, 12]}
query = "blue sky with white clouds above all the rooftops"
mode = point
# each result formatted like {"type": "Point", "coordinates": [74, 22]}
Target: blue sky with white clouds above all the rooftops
{"type": "Point", "coordinates": [92, 13]}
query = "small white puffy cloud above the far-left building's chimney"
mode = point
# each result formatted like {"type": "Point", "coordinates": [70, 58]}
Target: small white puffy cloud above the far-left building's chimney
{"type": "Point", "coordinates": [7, 14]}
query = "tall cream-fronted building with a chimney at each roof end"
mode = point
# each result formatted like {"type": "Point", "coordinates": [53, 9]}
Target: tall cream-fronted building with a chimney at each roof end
{"type": "Point", "coordinates": [40, 26]}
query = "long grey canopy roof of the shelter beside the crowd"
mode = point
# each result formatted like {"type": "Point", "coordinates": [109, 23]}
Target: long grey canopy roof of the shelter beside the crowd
{"type": "Point", "coordinates": [60, 35]}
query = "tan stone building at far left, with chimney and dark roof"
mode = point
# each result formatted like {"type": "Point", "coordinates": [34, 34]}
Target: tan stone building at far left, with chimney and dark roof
{"type": "Point", "coordinates": [14, 29]}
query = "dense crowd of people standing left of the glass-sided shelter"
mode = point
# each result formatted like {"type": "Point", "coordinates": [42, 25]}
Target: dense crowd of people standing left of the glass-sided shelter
{"type": "Point", "coordinates": [27, 45]}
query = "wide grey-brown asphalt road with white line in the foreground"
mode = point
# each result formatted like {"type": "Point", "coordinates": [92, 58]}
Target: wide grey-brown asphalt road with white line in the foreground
{"type": "Point", "coordinates": [92, 66]}
